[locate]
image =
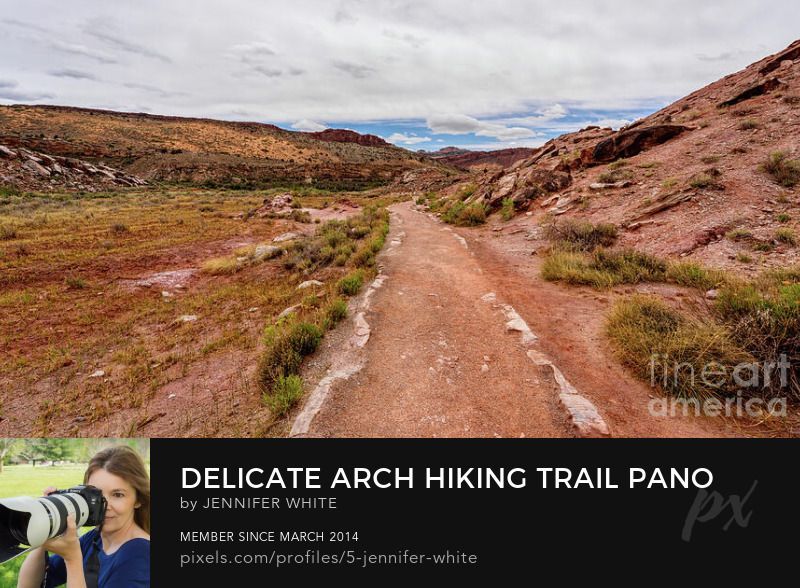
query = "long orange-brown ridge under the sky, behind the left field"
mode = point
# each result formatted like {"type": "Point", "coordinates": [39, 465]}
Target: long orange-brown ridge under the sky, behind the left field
{"type": "Point", "coordinates": [203, 151]}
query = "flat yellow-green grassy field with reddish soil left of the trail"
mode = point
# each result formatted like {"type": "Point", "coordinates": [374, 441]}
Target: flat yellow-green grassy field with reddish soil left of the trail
{"type": "Point", "coordinates": [70, 307]}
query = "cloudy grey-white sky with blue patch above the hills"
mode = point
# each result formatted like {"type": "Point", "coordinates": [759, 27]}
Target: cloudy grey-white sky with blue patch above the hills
{"type": "Point", "coordinates": [422, 74]}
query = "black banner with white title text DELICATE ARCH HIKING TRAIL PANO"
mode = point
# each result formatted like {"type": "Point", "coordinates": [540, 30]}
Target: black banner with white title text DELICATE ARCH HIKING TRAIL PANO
{"type": "Point", "coordinates": [459, 509]}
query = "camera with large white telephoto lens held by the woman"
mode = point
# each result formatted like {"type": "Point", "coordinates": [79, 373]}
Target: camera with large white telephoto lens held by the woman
{"type": "Point", "coordinates": [32, 521]}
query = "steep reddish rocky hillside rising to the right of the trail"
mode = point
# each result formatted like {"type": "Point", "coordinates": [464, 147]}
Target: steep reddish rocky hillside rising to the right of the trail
{"type": "Point", "coordinates": [713, 176]}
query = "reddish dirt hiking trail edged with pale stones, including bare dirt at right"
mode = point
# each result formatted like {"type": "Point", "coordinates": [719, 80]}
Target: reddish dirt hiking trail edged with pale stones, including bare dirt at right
{"type": "Point", "coordinates": [438, 350]}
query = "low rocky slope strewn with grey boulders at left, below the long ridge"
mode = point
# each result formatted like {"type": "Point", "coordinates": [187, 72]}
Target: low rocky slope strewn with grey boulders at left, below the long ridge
{"type": "Point", "coordinates": [29, 170]}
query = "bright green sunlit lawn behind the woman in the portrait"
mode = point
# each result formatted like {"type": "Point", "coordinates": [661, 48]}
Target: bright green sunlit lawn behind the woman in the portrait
{"type": "Point", "coordinates": [24, 480]}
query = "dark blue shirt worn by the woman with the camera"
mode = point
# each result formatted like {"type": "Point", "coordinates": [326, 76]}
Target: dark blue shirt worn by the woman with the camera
{"type": "Point", "coordinates": [127, 567]}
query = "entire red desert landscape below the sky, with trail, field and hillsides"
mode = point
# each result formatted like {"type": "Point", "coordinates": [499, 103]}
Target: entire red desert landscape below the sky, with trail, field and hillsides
{"type": "Point", "coordinates": [169, 276]}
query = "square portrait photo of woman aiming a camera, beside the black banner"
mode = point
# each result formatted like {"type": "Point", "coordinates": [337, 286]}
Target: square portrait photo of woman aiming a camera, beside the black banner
{"type": "Point", "coordinates": [74, 512]}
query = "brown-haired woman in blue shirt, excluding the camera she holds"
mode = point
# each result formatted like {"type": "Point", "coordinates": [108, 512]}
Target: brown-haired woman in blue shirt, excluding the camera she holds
{"type": "Point", "coordinates": [120, 547]}
